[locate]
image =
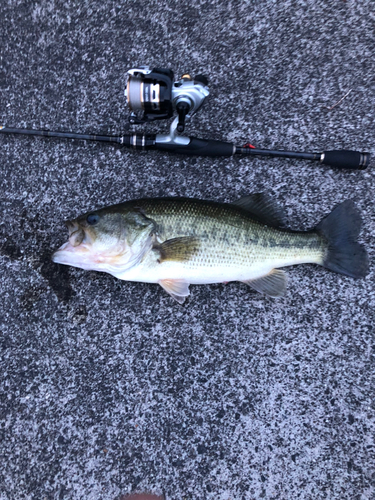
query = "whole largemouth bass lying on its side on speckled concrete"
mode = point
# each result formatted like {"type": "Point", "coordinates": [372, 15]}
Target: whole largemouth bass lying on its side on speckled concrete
{"type": "Point", "coordinates": [176, 242]}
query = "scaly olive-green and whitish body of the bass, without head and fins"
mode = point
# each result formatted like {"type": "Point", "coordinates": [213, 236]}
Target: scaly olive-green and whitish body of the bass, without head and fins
{"type": "Point", "coordinates": [230, 240]}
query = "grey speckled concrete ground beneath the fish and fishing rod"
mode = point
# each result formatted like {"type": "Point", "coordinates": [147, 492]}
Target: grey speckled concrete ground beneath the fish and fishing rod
{"type": "Point", "coordinates": [108, 387]}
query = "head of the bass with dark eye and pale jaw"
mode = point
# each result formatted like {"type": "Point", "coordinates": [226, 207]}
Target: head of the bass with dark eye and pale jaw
{"type": "Point", "coordinates": [105, 241]}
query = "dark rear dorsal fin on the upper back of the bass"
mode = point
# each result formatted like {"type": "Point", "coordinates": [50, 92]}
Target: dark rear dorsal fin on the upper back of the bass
{"type": "Point", "coordinates": [263, 208]}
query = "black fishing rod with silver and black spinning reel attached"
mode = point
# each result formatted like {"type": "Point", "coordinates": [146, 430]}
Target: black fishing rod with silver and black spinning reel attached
{"type": "Point", "coordinates": [153, 95]}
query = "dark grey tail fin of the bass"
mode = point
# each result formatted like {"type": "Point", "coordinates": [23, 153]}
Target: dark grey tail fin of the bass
{"type": "Point", "coordinates": [341, 229]}
